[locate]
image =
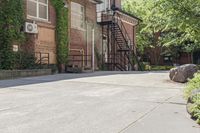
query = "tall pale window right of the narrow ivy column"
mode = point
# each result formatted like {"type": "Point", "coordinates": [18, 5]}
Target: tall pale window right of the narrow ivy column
{"type": "Point", "coordinates": [77, 16]}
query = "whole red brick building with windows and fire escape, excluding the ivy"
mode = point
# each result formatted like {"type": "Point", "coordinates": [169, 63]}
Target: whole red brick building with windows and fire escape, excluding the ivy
{"type": "Point", "coordinates": [100, 33]}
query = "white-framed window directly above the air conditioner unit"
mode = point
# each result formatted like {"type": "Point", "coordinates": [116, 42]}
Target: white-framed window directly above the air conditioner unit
{"type": "Point", "coordinates": [37, 9]}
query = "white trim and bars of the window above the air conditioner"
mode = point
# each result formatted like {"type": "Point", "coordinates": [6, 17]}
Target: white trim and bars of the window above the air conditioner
{"type": "Point", "coordinates": [37, 10]}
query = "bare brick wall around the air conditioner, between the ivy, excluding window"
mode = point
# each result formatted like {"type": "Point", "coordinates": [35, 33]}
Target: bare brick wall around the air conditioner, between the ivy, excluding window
{"type": "Point", "coordinates": [44, 41]}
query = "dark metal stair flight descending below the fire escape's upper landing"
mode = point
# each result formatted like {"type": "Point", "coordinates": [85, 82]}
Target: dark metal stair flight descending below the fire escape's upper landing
{"type": "Point", "coordinates": [121, 46]}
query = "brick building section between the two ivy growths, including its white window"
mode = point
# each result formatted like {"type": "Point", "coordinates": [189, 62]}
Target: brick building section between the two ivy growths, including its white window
{"type": "Point", "coordinates": [43, 41]}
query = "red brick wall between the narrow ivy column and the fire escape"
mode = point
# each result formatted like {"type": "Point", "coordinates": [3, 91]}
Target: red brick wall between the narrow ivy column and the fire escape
{"type": "Point", "coordinates": [82, 39]}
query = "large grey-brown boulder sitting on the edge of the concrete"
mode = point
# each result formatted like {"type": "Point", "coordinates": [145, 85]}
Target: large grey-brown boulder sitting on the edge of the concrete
{"type": "Point", "coordinates": [182, 73]}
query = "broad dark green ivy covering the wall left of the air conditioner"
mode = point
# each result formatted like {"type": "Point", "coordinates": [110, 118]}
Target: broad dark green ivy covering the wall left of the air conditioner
{"type": "Point", "coordinates": [11, 22]}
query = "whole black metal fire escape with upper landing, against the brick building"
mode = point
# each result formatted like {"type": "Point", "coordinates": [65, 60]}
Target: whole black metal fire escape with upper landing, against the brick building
{"type": "Point", "coordinates": [120, 51]}
